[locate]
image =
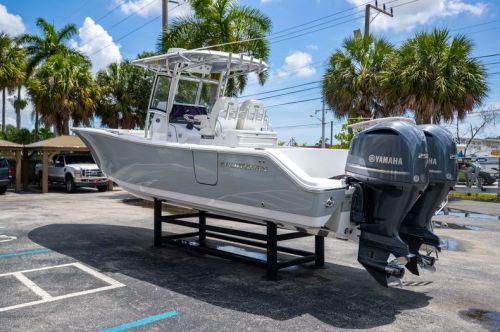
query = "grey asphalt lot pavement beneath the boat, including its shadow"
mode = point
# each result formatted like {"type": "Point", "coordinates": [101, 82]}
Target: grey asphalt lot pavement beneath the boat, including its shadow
{"type": "Point", "coordinates": [85, 262]}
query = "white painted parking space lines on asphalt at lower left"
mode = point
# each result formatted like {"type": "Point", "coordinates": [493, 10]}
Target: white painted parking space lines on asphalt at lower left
{"type": "Point", "coordinates": [47, 297]}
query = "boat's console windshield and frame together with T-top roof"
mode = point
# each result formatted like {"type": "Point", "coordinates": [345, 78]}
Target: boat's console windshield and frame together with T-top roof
{"type": "Point", "coordinates": [188, 82]}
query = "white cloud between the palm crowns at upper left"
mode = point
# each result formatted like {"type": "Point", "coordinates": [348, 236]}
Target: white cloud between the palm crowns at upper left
{"type": "Point", "coordinates": [97, 44]}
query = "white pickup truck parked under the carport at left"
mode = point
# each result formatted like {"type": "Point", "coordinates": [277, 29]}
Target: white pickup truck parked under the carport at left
{"type": "Point", "coordinates": [74, 170]}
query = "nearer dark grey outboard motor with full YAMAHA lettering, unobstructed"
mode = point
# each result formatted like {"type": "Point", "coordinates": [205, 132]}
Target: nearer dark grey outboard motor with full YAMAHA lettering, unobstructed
{"type": "Point", "coordinates": [387, 165]}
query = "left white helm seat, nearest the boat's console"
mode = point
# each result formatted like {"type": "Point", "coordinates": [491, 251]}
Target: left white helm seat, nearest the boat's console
{"type": "Point", "coordinates": [224, 116]}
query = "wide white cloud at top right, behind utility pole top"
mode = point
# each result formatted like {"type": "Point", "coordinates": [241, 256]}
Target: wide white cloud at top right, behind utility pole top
{"type": "Point", "coordinates": [408, 16]}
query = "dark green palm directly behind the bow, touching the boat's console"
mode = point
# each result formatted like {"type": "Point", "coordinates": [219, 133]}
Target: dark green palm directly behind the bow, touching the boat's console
{"type": "Point", "coordinates": [124, 101]}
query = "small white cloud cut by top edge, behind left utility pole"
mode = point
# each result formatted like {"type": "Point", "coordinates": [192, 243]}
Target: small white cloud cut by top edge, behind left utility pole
{"type": "Point", "coordinates": [152, 7]}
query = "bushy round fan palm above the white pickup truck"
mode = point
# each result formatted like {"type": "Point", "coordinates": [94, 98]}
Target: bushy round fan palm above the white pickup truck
{"type": "Point", "coordinates": [62, 90]}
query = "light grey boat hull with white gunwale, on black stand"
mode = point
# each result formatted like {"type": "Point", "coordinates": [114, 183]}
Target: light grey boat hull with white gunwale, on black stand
{"type": "Point", "coordinates": [248, 183]}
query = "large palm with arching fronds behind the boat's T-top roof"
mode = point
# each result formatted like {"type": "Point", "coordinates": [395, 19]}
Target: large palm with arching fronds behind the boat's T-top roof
{"type": "Point", "coordinates": [217, 22]}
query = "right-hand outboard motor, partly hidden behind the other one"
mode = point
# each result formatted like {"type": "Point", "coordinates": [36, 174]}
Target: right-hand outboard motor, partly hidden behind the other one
{"type": "Point", "coordinates": [416, 228]}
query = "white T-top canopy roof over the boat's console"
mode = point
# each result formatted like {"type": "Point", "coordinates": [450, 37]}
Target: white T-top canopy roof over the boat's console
{"type": "Point", "coordinates": [202, 62]}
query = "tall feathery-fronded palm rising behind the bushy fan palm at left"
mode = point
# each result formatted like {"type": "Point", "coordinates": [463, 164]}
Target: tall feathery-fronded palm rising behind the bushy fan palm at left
{"type": "Point", "coordinates": [40, 48]}
